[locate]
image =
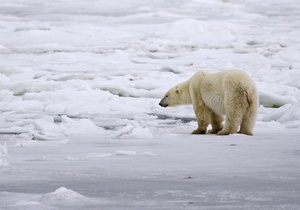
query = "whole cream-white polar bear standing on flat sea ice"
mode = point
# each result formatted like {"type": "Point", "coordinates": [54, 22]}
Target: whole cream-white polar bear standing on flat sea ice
{"type": "Point", "coordinates": [229, 93]}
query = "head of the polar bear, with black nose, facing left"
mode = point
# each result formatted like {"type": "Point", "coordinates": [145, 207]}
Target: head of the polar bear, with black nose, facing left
{"type": "Point", "coordinates": [178, 95]}
